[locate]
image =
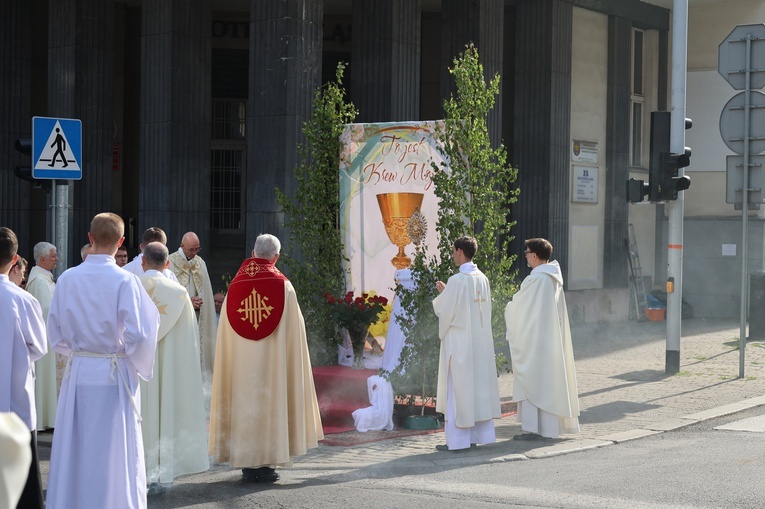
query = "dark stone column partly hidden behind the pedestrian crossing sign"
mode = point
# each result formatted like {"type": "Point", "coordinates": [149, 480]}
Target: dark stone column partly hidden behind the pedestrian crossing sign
{"type": "Point", "coordinates": [81, 85]}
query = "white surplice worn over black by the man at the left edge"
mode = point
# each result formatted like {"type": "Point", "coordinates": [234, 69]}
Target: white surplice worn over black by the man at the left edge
{"type": "Point", "coordinates": [22, 341]}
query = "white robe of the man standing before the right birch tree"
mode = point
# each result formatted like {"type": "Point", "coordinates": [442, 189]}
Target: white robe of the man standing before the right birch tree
{"type": "Point", "coordinates": [467, 348]}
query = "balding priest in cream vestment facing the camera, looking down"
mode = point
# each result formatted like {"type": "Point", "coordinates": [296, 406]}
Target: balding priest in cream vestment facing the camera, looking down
{"type": "Point", "coordinates": [191, 271]}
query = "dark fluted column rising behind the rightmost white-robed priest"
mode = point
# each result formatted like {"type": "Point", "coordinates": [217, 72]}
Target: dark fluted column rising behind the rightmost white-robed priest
{"type": "Point", "coordinates": [541, 140]}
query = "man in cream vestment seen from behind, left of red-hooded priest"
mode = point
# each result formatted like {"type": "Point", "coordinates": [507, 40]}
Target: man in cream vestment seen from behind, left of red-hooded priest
{"type": "Point", "coordinates": [172, 404]}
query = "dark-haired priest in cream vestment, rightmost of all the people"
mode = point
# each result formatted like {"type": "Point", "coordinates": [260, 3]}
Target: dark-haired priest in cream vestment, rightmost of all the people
{"type": "Point", "coordinates": [544, 383]}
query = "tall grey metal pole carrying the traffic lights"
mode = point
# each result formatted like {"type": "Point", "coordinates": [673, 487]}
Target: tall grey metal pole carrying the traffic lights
{"type": "Point", "coordinates": [676, 208]}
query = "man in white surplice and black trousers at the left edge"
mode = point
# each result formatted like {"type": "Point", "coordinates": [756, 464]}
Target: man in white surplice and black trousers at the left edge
{"type": "Point", "coordinates": [22, 341]}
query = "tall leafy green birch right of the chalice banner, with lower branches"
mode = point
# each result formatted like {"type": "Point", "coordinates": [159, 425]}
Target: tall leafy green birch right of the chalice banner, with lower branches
{"type": "Point", "coordinates": [476, 189]}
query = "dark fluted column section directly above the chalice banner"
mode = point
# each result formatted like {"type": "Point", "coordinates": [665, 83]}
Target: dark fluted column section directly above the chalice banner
{"type": "Point", "coordinates": [385, 66]}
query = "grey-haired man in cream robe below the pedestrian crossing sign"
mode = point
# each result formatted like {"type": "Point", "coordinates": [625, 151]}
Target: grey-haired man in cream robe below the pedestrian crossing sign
{"type": "Point", "coordinates": [40, 284]}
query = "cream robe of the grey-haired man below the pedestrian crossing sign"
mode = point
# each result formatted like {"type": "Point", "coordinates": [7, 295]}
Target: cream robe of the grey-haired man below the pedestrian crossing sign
{"type": "Point", "coordinates": [40, 284]}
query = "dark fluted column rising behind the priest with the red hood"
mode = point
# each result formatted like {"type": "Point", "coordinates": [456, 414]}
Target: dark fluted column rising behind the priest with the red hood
{"type": "Point", "coordinates": [285, 68]}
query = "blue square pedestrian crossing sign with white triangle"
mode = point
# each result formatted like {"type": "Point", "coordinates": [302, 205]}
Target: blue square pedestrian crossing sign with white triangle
{"type": "Point", "coordinates": [56, 148]}
